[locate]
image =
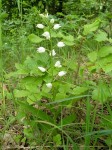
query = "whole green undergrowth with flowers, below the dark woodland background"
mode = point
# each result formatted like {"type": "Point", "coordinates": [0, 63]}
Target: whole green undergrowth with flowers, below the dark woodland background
{"type": "Point", "coordinates": [56, 86]}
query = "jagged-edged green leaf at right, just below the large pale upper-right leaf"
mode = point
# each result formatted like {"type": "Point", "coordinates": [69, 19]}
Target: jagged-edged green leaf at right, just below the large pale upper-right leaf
{"type": "Point", "coordinates": [101, 36]}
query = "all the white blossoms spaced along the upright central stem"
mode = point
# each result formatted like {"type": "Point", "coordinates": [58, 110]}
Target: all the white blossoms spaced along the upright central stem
{"type": "Point", "coordinates": [59, 44]}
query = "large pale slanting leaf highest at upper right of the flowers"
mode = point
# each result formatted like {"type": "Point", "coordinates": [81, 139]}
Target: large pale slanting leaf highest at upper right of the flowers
{"type": "Point", "coordinates": [91, 27]}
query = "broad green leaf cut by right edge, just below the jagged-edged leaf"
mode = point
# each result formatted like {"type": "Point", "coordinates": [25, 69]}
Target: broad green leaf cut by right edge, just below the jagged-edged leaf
{"type": "Point", "coordinates": [104, 51]}
